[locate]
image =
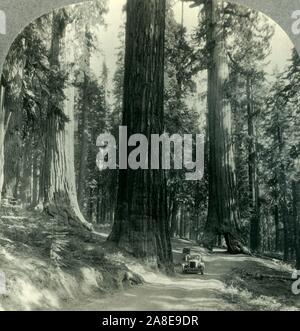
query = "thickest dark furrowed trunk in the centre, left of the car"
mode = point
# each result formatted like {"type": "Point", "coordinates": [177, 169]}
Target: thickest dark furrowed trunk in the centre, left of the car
{"type": "Point", "coordinates": [141, 225]}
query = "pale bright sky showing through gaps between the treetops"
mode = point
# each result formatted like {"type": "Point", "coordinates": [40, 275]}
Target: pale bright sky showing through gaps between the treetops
{"type": "Point", "coordinates": [109, 41]}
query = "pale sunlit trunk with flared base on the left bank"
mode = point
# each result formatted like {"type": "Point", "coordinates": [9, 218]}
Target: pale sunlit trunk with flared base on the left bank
{"type": "Point", "coordinates": [60, 199]}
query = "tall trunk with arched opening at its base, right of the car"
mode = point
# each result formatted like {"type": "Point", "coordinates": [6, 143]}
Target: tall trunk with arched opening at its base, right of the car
{"type": "Point", "coordinates": [223, 213]}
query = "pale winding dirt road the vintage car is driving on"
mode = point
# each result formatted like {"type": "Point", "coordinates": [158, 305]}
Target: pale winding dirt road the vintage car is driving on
{"type": "Point", "coordinates": [193, 292]}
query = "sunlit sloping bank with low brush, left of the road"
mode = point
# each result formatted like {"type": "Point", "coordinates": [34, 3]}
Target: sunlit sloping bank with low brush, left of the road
{"type": "Point", "coordinates": [48, 267]}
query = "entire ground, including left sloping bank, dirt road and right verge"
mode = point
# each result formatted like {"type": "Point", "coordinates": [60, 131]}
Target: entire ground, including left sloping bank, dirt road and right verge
{"type": "Point", "coordinates": [49, 268]}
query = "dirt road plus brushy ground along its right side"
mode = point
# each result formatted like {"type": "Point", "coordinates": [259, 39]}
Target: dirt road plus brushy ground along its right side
{"type": "Point", "coordinates": [230, 283]}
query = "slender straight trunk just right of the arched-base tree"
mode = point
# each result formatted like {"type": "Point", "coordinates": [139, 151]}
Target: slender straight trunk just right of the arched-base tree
{"type": "Point", "coordinates": [255, 238]}
